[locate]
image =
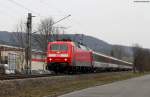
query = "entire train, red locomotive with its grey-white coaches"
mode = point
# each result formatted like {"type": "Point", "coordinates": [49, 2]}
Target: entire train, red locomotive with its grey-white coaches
{"type": "Point", "coordinates": [68, 56]}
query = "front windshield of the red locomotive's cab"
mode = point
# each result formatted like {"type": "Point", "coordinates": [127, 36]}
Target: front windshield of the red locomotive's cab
{"type": "Point", "coordinates": [61, 47]}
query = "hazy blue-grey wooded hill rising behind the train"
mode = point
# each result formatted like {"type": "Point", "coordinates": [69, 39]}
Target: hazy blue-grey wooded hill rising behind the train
{"type": "Point", "coordinates": [92, 42]}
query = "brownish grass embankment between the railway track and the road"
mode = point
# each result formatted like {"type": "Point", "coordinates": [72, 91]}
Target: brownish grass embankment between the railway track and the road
{"type": "Point", "coordinates": [54, 86]}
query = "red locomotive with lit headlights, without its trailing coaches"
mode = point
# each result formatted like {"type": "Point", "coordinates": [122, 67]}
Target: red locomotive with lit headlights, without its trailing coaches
{"type": "Point", "coordinates": [68, 56]}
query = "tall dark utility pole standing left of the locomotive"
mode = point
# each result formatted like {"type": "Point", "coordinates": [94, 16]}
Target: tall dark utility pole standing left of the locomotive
{"type": "Point", "coordinates": [28, 51]}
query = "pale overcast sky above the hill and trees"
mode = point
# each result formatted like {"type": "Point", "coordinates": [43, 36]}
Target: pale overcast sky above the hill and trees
{"type": "Point", "coordinates": [114, 21]}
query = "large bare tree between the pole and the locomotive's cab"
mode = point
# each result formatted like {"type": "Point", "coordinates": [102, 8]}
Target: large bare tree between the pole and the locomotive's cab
{"type": "Point", "coordinates": [45, 31]}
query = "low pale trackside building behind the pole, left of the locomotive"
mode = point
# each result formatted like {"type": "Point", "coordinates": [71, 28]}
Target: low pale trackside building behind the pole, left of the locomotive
{"type": "Point", "coordinates": [14, 59]}
